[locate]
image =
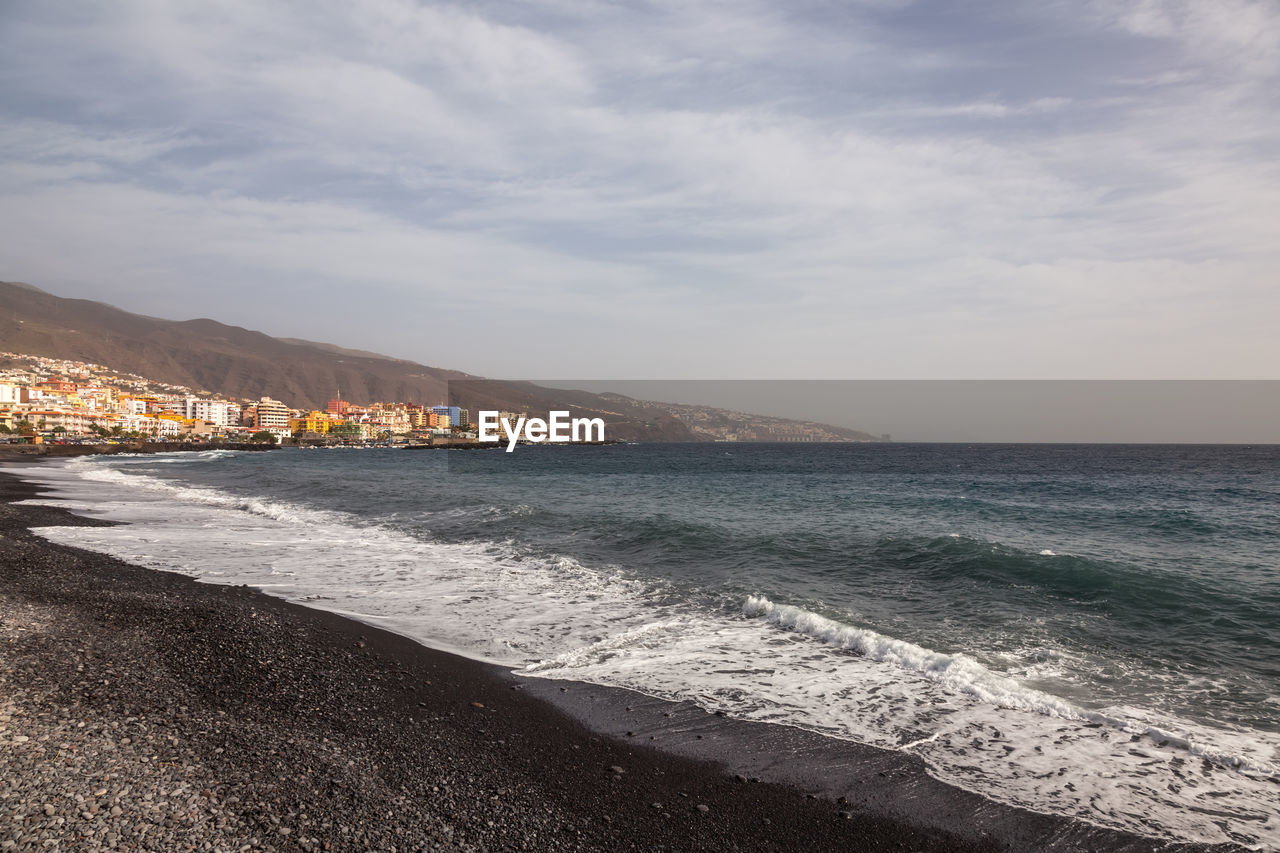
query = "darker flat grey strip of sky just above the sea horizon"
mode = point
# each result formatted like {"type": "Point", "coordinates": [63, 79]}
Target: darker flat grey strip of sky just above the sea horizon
{"type": "Point", "coordinates": [1142, 412]}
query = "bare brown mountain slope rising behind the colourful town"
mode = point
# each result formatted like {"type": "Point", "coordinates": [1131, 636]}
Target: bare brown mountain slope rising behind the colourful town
{"type": "Point", "coordinates": [212, 357]}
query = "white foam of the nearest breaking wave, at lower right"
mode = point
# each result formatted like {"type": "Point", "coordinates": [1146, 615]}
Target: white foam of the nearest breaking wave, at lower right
{"type": "Point", "coordinates": [1119, 768]}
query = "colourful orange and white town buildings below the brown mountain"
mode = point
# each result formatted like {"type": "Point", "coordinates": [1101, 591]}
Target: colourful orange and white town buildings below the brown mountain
{"type": "Point", "coordinates": [54, 400]}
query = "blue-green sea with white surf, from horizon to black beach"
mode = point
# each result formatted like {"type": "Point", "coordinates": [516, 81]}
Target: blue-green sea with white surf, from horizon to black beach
{"type": "Point", "coordinates": [1084, 631]}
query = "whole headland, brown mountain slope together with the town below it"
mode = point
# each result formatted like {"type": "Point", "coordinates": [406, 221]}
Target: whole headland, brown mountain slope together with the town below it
{"type": "Point", "coordinates": [77, 370]}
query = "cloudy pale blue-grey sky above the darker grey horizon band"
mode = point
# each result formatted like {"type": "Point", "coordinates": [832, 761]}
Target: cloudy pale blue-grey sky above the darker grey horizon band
{"type": "Point", "coordinates": [874, 189]}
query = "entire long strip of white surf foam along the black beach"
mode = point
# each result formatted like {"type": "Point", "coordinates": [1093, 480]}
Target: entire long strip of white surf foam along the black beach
{"type": "Point", "coordinates": [975, 727]}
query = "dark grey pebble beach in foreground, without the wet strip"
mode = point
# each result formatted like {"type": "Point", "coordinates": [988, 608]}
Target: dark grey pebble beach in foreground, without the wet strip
{"type": "Point", "coordinates": [144, 711]}
